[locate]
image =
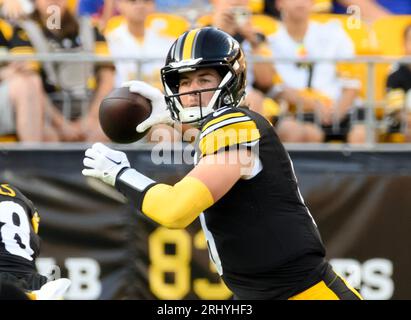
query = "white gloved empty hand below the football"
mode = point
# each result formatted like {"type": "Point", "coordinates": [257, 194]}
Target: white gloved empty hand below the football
{"type": "Point", "coordinates": [104, 163]}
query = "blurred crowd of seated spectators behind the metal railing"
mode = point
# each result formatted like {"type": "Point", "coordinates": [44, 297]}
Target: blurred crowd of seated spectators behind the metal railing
{"type": "Point", "coordinates": [289, 45]}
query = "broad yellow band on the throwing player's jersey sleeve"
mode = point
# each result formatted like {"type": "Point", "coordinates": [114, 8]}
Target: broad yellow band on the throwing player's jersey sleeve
{"type": "Point", "coordinates": [230, 135]}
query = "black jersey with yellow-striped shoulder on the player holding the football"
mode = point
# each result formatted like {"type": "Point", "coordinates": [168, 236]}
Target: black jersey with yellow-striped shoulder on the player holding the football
{"type": "Point", "coordinates": [261, 235]}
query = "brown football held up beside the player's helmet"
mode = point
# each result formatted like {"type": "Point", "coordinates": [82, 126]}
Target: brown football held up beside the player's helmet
{"type": "Point", "coordinates": [120, 113]}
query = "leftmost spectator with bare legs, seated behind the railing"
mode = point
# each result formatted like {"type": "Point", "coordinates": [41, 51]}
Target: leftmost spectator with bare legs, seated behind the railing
{"type": "Point", "coordinates": [21, 104]}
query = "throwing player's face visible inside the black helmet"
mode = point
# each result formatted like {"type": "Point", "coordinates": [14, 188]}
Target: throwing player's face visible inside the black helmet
{"type": "Point", "coordinates": [197, 80]}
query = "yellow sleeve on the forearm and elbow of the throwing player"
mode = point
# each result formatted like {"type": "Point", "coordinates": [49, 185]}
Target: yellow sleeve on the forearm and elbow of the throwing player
{"type": "Point", "coordinates": [177, 206]}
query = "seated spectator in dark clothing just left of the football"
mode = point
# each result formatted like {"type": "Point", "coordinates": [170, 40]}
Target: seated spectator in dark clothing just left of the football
{"type": "Point", "coordinates": [75, 88]}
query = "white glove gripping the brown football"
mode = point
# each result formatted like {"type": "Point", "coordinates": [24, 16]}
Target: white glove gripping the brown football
{"type": "Point", "coordinates": [159, 114]}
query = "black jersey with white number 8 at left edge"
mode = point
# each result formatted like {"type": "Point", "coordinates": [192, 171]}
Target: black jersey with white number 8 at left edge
{"type": "Point", "coordinates": [19, 242]}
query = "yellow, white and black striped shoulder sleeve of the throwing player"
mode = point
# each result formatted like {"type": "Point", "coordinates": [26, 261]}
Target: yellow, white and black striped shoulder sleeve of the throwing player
{"type": "Point", "coordinates": [227, 129]}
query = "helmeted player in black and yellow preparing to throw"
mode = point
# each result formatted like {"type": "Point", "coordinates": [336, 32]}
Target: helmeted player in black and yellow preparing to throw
{"type": "Point", "coordinates": [261, 236]}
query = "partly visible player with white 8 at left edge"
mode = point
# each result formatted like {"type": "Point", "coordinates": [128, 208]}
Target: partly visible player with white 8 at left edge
{"type": "Point", "coordinates": [20, 246]}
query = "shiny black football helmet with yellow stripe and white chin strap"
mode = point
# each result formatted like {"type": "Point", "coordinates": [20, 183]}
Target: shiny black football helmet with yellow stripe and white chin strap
{"type": "Point", "coordinates": [204, 48]}
